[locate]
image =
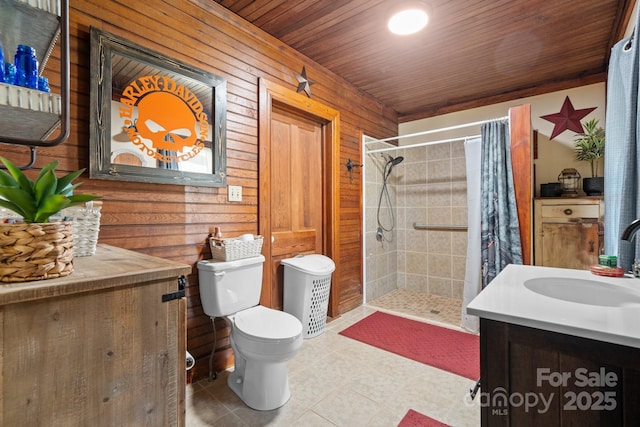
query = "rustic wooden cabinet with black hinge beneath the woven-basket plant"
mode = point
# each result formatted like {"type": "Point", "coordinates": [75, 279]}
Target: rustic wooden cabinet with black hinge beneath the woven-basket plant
{"type": "Point", "coordinates": [96, 348]}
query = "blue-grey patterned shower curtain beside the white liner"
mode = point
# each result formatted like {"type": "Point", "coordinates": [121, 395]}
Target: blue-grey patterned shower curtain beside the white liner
{"type": "Point", "coordinates": [500, 230]}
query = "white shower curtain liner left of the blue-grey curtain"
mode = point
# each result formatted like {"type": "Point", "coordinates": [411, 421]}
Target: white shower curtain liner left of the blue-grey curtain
{"type": "Point", "coordinates": [473, 270]}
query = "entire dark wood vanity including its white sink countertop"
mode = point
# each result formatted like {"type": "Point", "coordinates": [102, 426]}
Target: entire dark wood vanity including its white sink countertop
{"type": "Point", "coordinates": [558, 347]}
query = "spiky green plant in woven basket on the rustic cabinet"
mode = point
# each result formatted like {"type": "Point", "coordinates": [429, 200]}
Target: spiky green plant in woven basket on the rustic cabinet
{"type": "Point", "coordinates": [33, 248]}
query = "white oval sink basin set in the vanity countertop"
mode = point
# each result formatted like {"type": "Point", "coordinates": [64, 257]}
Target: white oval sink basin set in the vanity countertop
{"type": "Point", "coordinates": [583, 291]}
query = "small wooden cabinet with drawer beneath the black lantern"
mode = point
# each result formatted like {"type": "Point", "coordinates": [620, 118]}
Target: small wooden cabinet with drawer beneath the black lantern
{"type": "Point", "coordinates": [568, 232]}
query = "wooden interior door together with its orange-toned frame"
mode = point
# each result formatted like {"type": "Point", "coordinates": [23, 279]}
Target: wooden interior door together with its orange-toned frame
{"type": "Point", "coordinates": [325, 121]}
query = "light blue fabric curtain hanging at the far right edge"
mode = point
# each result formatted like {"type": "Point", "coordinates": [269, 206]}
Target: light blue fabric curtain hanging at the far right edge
{"type": "Point", "coordinates": [622, 151]}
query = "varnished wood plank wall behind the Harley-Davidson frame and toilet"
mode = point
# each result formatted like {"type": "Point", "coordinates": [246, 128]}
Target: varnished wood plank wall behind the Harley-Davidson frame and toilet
{"type": "Point", "coordinates": [173, 222]}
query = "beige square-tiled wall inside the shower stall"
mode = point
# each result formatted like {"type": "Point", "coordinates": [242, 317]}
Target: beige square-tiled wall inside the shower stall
{"type": "Point", "coordinates": [428, 187]}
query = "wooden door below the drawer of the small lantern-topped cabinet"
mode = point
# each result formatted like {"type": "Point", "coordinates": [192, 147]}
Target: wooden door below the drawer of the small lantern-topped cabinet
{"type": "Point", "coordinates": [570, 244]}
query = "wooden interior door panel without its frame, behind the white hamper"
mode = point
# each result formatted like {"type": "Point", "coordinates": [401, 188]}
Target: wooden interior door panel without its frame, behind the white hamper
{"type": "Point", "coordinates": [296, 192]}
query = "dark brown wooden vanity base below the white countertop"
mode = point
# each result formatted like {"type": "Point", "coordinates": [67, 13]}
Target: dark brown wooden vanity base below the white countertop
{"type": "Point", "coordinates": [532, 377]}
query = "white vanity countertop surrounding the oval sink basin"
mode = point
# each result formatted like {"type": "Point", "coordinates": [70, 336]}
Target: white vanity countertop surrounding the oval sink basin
{"type": "Point", "coordinates": [507, 299]}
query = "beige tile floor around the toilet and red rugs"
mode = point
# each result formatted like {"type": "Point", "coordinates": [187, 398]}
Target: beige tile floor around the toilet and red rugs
{"type": "Point", "coordinates": [337, 381]}
